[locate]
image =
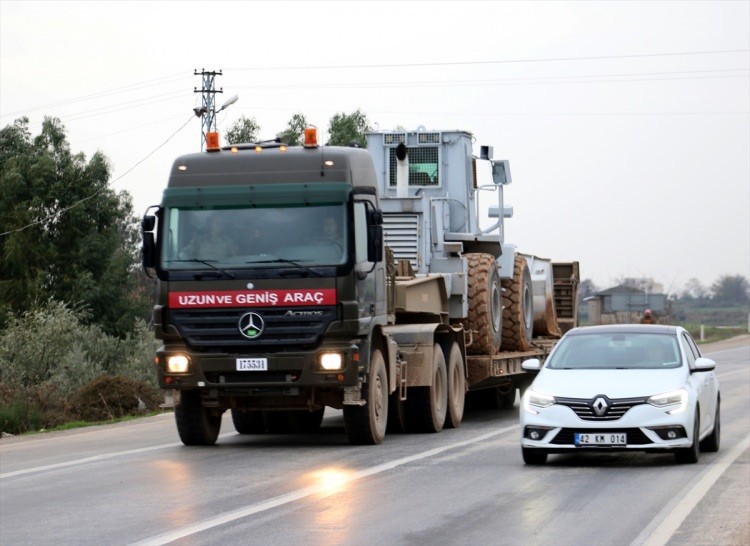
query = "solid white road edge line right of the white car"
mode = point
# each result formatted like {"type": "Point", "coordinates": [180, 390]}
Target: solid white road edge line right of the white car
{"type": "Point", "coordinates": [668, 521]}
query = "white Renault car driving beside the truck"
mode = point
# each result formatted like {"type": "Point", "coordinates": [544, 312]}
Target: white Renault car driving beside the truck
{"type": "Point", "coordinates": [624, 387]}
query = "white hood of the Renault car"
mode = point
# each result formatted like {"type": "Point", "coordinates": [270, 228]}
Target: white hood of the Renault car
{"type": "Point", "coordinates": [612, 383]}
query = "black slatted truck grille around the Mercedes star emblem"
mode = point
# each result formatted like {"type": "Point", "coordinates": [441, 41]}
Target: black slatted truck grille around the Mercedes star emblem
{"type": "Point", "coordinates": [218, 328]}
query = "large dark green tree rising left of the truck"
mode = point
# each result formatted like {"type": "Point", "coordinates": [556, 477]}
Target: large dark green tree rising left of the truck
{"type": "Point", "coordinates": [64, 234]}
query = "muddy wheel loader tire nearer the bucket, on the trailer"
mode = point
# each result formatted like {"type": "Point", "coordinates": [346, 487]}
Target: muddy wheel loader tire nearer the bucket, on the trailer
{"type": "Point", "coordinates": [518, 312]}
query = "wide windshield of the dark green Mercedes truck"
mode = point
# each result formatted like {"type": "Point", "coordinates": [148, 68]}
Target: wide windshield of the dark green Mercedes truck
{"type": "Point", "coordinates": [206, 238]}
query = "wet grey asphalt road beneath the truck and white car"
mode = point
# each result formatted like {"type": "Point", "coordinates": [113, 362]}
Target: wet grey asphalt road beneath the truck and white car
{"type": "Point", "coordinates": [134, 483]}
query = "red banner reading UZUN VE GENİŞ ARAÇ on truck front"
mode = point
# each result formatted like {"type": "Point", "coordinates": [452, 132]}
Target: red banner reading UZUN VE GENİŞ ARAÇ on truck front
{"type": "Point", "coordinates": [252, 298]}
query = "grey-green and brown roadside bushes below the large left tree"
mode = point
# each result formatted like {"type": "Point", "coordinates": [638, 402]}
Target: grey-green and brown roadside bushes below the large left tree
{"type": "Point", "coordinates": [54, 368]}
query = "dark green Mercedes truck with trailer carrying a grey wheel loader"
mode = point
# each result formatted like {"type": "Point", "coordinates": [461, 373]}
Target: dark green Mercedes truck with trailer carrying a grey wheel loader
{"type": "Point", "coordinates": [295, 278]}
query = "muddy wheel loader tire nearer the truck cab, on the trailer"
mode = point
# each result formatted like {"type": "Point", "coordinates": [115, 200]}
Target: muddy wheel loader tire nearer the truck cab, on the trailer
{"type": "Point", "coordinates": [485, 320]}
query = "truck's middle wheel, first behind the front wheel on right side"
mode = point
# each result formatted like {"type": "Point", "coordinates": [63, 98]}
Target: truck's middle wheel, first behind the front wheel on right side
{"type": "Point", "coordinates": [427, 407]}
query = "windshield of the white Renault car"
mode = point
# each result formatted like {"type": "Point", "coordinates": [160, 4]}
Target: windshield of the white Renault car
{"type": "Point", "coordinates": [616, 351]}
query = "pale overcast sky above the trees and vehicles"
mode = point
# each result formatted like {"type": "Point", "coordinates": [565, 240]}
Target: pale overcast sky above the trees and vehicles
{"type": "Point", "coordinates": [626, 124]}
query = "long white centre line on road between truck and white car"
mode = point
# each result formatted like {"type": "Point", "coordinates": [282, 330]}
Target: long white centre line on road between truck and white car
{"type": "Point", "coordinates": [221, 519]}
